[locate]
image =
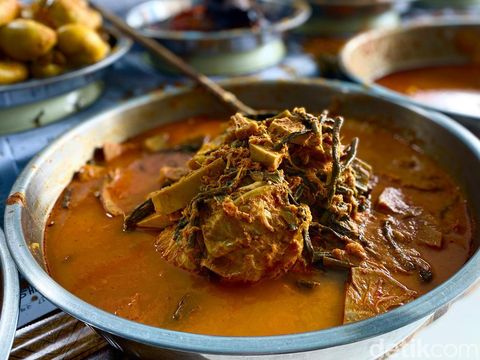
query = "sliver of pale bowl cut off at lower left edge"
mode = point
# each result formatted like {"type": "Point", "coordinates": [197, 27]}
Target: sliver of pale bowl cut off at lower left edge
{"type": "Point", "coordinates": [9, 299]}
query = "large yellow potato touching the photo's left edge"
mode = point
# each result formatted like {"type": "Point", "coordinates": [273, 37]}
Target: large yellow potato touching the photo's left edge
{"type": "Point", "coordinates": [26, 40]}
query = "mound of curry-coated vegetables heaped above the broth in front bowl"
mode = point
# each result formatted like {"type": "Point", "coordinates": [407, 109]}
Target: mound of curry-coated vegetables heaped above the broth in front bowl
{"type": "Point", "coordinates": [263, 198]}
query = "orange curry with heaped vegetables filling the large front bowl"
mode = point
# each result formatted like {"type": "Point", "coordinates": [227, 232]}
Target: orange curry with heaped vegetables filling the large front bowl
{"type": "Point", "coordinates": [251, 227]}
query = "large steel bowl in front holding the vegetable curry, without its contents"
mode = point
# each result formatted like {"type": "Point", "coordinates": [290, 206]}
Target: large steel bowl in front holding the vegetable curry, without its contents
{"type": "Point", "coordinates": [44, 178]}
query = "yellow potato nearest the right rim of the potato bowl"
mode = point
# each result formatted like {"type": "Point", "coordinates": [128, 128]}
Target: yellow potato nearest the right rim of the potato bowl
{"type": "Point", "coordinates": [81, 45]}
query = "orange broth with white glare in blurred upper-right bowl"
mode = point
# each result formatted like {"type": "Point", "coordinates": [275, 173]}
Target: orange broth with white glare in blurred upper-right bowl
{"type": "Point", "coordinates": [452, 88]}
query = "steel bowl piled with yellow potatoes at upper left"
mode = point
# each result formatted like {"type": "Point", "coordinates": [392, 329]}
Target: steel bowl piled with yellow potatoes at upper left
{"type": "Point", "coordinates": [49, 50]}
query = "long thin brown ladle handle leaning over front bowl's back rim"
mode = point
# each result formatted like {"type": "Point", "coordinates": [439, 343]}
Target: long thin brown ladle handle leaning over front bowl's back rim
{"type": "Point", "coordinates": [161, 51]}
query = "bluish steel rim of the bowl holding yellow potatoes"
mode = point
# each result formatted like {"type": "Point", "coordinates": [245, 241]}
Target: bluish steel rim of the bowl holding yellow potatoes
{"type": "Point", "coordinates": [36, 90]}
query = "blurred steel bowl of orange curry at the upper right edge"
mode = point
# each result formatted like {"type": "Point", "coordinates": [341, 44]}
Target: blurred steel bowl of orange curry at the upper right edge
{"type": "Point", "coordinates": [371, 56]}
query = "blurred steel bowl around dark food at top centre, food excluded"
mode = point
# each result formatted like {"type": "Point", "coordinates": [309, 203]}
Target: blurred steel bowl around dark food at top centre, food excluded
{"type": "Point", "coordinates": [233, 51]}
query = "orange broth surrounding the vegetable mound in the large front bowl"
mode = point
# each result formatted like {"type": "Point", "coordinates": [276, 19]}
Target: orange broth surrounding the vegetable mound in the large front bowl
{"type": "Point", "coordinates": [88, 253]}
